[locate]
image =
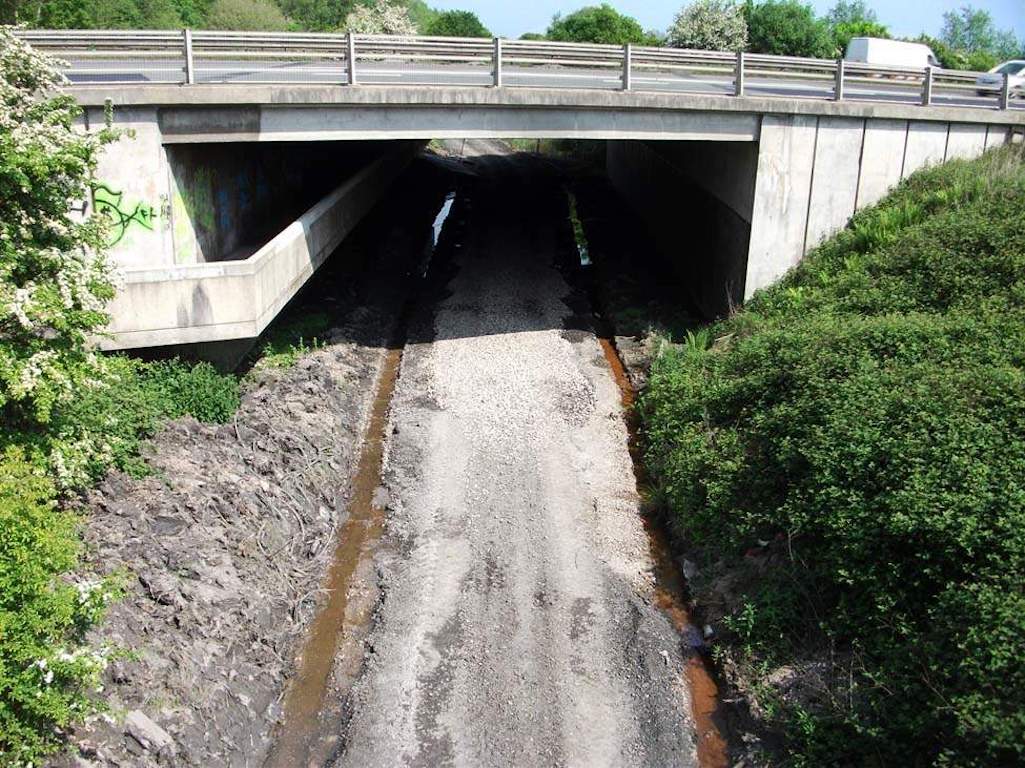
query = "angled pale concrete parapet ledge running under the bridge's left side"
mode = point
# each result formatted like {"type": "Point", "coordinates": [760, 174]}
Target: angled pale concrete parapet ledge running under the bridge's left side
{"type": "Point", "coordinates": [225, 301]}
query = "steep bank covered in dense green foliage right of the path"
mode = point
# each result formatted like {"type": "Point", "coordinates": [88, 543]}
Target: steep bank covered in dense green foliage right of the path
{"type": "Point", "coordinates": [849, 451]}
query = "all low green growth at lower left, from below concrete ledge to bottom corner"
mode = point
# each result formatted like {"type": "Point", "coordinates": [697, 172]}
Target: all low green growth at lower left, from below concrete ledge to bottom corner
{"type": "Point", "coordinates": [50, 677]}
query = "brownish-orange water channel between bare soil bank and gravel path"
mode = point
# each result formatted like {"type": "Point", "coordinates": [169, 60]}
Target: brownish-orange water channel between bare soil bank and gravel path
{"type": "Point", "coordinates": [356, 538]}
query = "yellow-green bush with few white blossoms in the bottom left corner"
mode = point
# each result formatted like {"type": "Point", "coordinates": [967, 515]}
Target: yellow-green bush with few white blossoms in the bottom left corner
{"type": "Point", "coordinates": [49, 678]}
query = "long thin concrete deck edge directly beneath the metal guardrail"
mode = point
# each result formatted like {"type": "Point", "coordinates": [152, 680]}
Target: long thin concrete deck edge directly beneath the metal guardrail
{"type": "Point", "coordinates": [535, 99]}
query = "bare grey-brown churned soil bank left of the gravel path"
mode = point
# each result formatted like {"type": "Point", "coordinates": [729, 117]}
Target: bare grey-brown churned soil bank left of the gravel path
{"type": "Point", "coordinates": [226, 546]}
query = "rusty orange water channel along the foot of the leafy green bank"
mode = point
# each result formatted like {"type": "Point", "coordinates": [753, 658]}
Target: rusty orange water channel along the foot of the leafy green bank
{"type": "Point", "coordinates": [712, 747]}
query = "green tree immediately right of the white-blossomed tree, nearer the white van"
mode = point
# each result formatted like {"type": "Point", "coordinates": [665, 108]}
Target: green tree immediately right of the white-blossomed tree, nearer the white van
{"type": "Point", "coordinates": [788, 28]}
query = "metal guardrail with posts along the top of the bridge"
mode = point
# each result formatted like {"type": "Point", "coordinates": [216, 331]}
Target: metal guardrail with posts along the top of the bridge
{"type": "Point", "coordinates": [98, 57]}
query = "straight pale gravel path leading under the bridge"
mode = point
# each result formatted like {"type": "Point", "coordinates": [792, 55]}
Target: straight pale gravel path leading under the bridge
{"type": "Point", "coordinates": [517, 626]}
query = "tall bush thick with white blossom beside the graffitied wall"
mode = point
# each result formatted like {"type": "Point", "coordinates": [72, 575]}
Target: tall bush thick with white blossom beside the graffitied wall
{"type": "Point", "coordinates": [55, 281]}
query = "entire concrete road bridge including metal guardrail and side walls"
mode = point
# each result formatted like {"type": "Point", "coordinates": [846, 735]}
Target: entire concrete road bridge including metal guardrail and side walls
{"type": "Point", "coordinates": [226, 198]}
